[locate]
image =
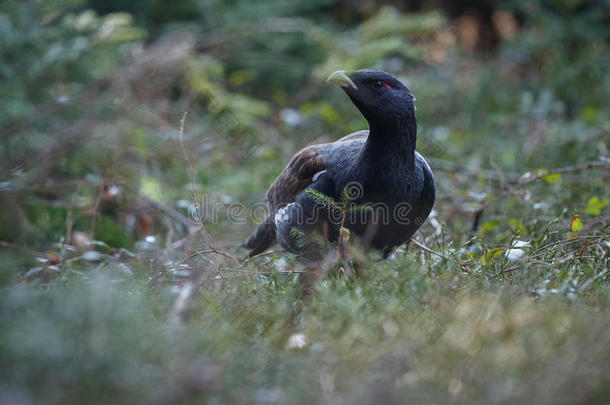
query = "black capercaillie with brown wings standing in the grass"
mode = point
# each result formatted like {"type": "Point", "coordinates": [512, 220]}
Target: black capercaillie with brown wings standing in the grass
{"type": "Point", "coordinates": [379, 168]}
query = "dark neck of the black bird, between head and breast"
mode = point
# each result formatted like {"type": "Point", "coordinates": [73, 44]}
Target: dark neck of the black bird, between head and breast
{"type": "Point", "coordinates": [391, 143]}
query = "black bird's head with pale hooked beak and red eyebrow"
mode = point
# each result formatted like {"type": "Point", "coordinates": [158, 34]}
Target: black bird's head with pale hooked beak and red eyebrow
{"type": "Point", "coordinates": [379, 96]}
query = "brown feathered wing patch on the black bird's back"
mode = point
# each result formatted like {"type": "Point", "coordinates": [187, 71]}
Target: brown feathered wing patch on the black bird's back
{"type": "Point", "coordinates": [296, 176]}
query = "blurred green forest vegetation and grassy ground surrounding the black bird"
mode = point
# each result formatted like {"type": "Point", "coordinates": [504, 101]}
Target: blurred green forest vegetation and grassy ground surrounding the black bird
{"type": "Point", "coordinates": [96, 216]}
